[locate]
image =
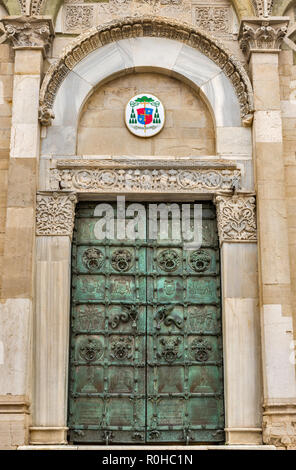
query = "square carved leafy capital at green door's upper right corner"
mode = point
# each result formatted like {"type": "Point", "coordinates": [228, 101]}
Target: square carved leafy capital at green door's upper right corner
{"type": "Point", "coordinates": [236, 217]}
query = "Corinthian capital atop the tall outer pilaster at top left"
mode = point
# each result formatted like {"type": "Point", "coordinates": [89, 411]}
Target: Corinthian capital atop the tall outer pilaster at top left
{"type": "Point", "coordinates": [29, 32]}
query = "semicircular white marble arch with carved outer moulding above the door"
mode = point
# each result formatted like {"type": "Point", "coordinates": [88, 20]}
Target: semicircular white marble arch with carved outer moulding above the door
{"type": "Point", "coordinates": [132, 45]}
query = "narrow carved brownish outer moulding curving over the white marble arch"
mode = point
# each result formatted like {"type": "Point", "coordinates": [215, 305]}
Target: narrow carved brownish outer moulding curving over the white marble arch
{"type": "Point", "coordinates": [151, 27]}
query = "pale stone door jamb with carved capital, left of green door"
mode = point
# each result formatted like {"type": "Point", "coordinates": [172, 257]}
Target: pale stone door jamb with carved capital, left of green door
{"type": "Point", "coordinates": [55, 220]}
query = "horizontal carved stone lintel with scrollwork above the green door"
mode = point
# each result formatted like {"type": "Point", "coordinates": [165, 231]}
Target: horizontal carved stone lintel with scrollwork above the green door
{"type": "Point", "coordinates": [117, 176]}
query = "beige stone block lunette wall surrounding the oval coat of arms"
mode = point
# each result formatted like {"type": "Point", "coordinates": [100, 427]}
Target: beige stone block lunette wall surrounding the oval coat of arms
{"type": "Point", "coordinates": [188, 130]}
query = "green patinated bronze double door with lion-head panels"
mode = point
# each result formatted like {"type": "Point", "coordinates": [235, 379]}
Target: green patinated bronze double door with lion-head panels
{"type": "Point", "coordinates": [146, 346]}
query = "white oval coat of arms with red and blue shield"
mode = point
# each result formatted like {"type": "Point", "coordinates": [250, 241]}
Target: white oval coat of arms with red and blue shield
{"type": "Point", "coordinates": [144, 115]}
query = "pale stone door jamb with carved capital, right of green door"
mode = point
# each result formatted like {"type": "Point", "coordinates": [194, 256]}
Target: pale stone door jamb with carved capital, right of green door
{"type": "Point", "coordinates": [236, 217]}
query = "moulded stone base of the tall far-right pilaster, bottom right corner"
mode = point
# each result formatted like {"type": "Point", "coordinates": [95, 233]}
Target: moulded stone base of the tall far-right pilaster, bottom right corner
{"type": "Point", "coordinates": [279, 425]}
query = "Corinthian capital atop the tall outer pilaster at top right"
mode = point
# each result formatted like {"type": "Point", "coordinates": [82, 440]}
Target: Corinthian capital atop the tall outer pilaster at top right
{"type": "Point", "coordinates": [262, 35]}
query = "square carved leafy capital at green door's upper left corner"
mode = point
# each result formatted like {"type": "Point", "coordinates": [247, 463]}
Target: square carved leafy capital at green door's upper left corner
{"type": "Point", "coordinates": [55, 214]}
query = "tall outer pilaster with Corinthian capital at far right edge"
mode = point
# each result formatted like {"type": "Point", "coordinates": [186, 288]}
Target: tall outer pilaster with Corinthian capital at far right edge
{"type": "Point", "coordinates": [260, 39]}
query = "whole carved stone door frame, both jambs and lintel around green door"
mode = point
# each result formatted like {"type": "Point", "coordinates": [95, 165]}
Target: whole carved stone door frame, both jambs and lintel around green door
{"type": "Point", "coordinates": [238, 253]}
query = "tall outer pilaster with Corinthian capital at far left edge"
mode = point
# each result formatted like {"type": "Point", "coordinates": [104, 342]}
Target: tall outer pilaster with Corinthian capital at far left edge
{"type": "Point", "coordinates": [30, 38]}
